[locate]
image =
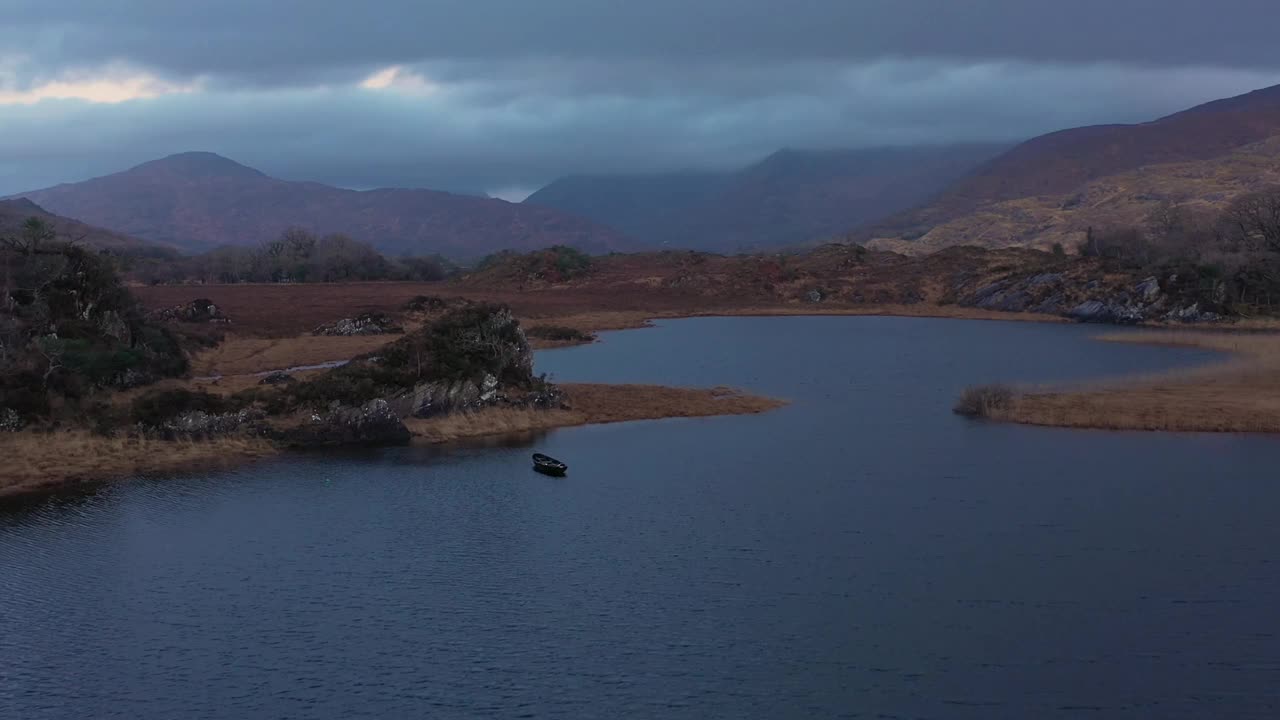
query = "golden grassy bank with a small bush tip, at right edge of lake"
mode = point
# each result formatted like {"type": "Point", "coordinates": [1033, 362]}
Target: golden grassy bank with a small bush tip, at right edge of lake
{"type": "Point", "coordinates": [1238, 395]}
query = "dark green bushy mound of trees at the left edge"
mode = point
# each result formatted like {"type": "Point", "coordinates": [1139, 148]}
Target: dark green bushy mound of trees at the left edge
{"type": "Point", "coordinates": [70, 330]}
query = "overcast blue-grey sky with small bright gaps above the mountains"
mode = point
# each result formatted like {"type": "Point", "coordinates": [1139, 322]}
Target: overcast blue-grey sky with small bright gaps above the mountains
{"type": "Point", "coordinates": [505, 95]}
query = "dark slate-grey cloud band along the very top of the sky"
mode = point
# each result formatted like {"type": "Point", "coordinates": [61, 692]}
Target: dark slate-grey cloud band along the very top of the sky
{"type": "Point", "coordinates": [285, 37]}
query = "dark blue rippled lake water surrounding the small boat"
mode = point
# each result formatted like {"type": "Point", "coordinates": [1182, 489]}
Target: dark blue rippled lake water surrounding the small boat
{"type": "Point", "coordinates": [858, 554]}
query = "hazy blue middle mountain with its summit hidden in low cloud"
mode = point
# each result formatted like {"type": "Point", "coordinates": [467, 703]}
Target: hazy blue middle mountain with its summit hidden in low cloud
{"type": "Point", "coordinates": [792, 197]}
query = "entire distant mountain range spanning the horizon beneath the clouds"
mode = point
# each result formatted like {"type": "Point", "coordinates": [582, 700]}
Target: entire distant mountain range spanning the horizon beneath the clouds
{"type": "Point", "coordinates": [1040, 193]}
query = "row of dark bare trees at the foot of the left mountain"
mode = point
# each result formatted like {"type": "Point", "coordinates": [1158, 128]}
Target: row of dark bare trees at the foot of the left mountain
{"type": "Point", "coordinates": [296, 257]}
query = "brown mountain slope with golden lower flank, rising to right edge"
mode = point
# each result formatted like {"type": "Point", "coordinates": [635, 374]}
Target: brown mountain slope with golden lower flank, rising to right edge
{"type": "Point", "coordinates": [1060, 183]}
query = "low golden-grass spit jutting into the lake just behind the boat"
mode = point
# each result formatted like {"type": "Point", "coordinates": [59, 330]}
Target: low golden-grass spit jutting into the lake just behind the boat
{"type": "Point", "coordinates": [595, 404]}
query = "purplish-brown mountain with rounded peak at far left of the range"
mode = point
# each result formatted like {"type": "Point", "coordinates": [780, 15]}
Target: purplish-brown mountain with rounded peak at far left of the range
{"type": "Point", "coordinates": [198, 200]}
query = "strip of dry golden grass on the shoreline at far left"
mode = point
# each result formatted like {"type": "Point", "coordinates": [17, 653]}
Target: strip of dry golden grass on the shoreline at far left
{"type": "Point", "coordinates": [39, 463]}
